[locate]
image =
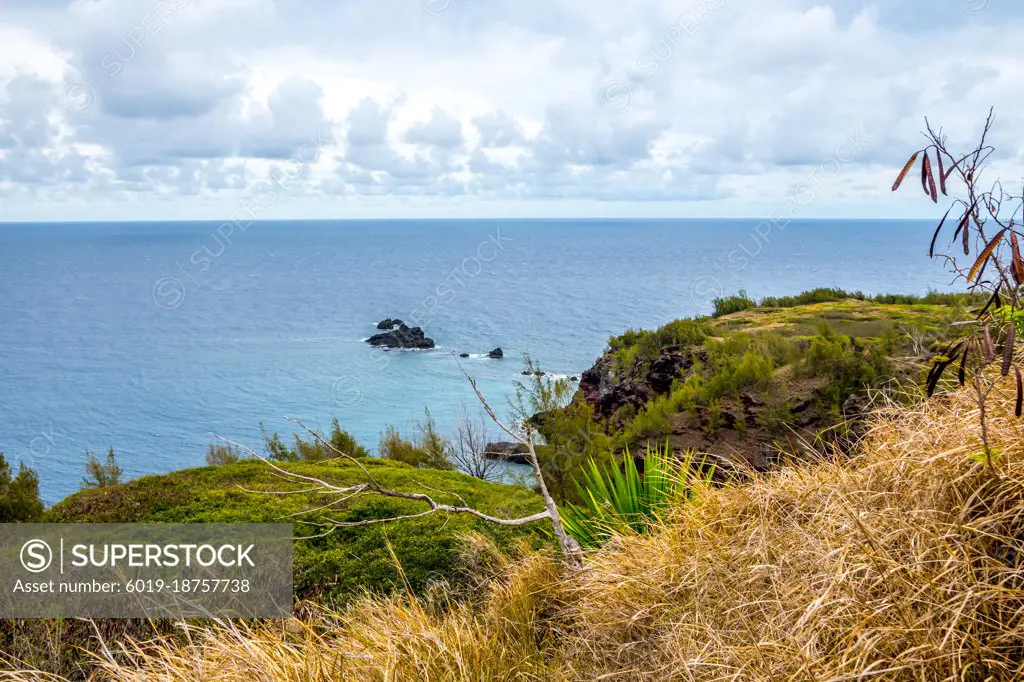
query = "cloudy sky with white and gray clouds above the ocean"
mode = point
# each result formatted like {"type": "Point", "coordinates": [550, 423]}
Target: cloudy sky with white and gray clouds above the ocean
{"type": "Point", "coordinates": [333, 109]}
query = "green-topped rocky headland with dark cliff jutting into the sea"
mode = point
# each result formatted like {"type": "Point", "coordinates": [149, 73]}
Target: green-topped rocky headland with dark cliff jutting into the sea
{"type": "Point", "coordinates": [756, 379]}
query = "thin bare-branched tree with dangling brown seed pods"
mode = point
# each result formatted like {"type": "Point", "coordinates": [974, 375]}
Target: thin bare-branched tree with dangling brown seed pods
{"type": "Point", "coordinates": [988, 221]}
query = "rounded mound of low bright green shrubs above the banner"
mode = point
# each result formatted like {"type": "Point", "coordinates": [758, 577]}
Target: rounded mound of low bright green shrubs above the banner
{"type": "Point", "coordinates": [350, 561]}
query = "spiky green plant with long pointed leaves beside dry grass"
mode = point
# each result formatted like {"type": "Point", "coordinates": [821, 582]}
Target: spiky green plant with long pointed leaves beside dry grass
{"type": "Point", "coordinates": [620, 500]}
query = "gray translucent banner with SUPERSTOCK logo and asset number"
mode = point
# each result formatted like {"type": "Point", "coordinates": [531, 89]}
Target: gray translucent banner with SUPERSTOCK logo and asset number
{"type": "Point", "coordinates": [132, 571]}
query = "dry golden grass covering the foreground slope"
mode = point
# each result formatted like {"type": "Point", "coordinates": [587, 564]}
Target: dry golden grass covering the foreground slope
{"type": "Point", "coordinates": [905, 565]}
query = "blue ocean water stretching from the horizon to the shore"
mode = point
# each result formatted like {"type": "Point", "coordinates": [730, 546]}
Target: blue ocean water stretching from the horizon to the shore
{"type": "Point", "coordinates": [151, 337]}
